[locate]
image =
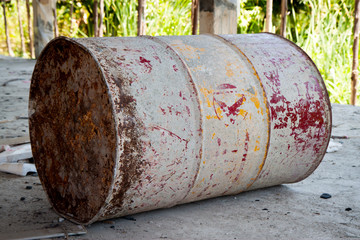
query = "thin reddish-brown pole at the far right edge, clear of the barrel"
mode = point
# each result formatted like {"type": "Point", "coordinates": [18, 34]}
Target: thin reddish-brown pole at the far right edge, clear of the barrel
{"type": "Point", "coordinates": [355, 65]}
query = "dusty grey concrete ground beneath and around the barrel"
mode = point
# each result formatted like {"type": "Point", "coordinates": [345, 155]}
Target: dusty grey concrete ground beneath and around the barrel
{"type": "Point", "coordinates": [293, 211]}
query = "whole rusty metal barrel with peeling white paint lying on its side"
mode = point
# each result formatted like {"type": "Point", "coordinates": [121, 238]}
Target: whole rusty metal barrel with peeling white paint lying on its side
{"type": "Point", "coordinates": [125, 125]}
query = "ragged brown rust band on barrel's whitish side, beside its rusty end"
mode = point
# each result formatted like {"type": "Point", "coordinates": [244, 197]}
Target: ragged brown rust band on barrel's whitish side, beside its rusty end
{"type": "Point", "coordinates": [129, 130]}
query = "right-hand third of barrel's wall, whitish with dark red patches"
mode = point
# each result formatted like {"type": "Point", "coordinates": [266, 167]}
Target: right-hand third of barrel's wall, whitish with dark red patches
{"type": "Point", "coordinates": [298, 103]}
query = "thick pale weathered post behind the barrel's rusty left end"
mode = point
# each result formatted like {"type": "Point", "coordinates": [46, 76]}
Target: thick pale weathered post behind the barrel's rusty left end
{"type": "Point", "coordinates": [43, 15]}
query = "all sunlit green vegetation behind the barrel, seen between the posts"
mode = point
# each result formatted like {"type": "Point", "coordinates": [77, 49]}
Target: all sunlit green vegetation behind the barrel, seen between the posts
{"type": "Point", "coordinates": [323, 28]}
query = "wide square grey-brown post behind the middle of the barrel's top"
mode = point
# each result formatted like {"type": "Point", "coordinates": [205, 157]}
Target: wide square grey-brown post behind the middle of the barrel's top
{"type": "Point", "coordinates": [218, 16]}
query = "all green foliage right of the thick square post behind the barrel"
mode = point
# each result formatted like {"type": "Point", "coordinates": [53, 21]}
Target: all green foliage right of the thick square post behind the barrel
{"type": "Point", "coordinates": [323, 28]}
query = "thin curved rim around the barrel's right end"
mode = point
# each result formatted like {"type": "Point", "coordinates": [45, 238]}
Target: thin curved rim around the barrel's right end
{"type": "Point", "coordinates": [326, 97]}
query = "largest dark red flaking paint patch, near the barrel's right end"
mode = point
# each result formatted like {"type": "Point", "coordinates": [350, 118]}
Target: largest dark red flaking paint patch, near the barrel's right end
{"type": "Point", "coordinates": [304, 118]}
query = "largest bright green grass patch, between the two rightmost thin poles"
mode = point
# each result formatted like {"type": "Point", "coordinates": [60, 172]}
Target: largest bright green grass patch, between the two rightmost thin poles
{"type": "Point", "coordinates": [325, 33]}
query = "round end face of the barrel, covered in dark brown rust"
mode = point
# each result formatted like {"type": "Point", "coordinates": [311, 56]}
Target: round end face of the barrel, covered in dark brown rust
{"type": "Point", "coordinates": [72, 130]}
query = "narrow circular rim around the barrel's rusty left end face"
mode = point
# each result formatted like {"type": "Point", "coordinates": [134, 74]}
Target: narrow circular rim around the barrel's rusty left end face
{"type": "Point", "coordinates": [103, 81]}
